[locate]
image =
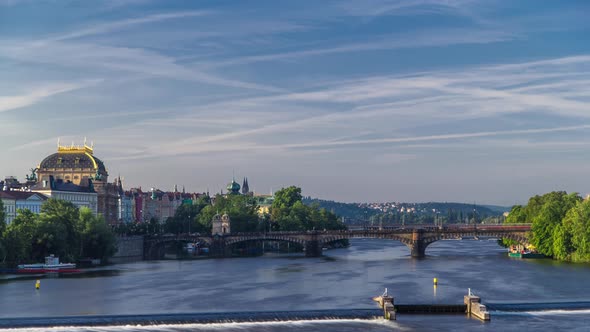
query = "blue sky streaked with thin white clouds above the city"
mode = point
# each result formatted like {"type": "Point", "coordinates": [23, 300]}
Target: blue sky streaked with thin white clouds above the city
{"type": "Point", "coordinates": [354, 100]}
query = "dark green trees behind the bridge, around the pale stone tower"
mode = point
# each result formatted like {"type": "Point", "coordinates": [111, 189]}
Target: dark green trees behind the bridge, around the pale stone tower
{"type": "Point", "coordinates": [287, 213]}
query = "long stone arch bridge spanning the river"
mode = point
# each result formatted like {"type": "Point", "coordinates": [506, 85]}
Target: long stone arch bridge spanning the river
{"type": "Point", "coordinates": [416, 238]}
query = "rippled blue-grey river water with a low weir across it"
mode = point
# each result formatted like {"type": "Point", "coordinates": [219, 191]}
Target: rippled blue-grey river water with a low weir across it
{"type": "Point", "coordinates": [557, 295]}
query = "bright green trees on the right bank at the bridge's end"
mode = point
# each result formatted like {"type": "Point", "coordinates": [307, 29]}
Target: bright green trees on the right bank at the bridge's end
{"type": "Point", "coordinates": [560, 225]}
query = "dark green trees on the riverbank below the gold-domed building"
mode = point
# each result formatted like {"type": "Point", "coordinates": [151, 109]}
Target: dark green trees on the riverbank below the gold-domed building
{"type": "Point", "coordinates": [61, 229]}
